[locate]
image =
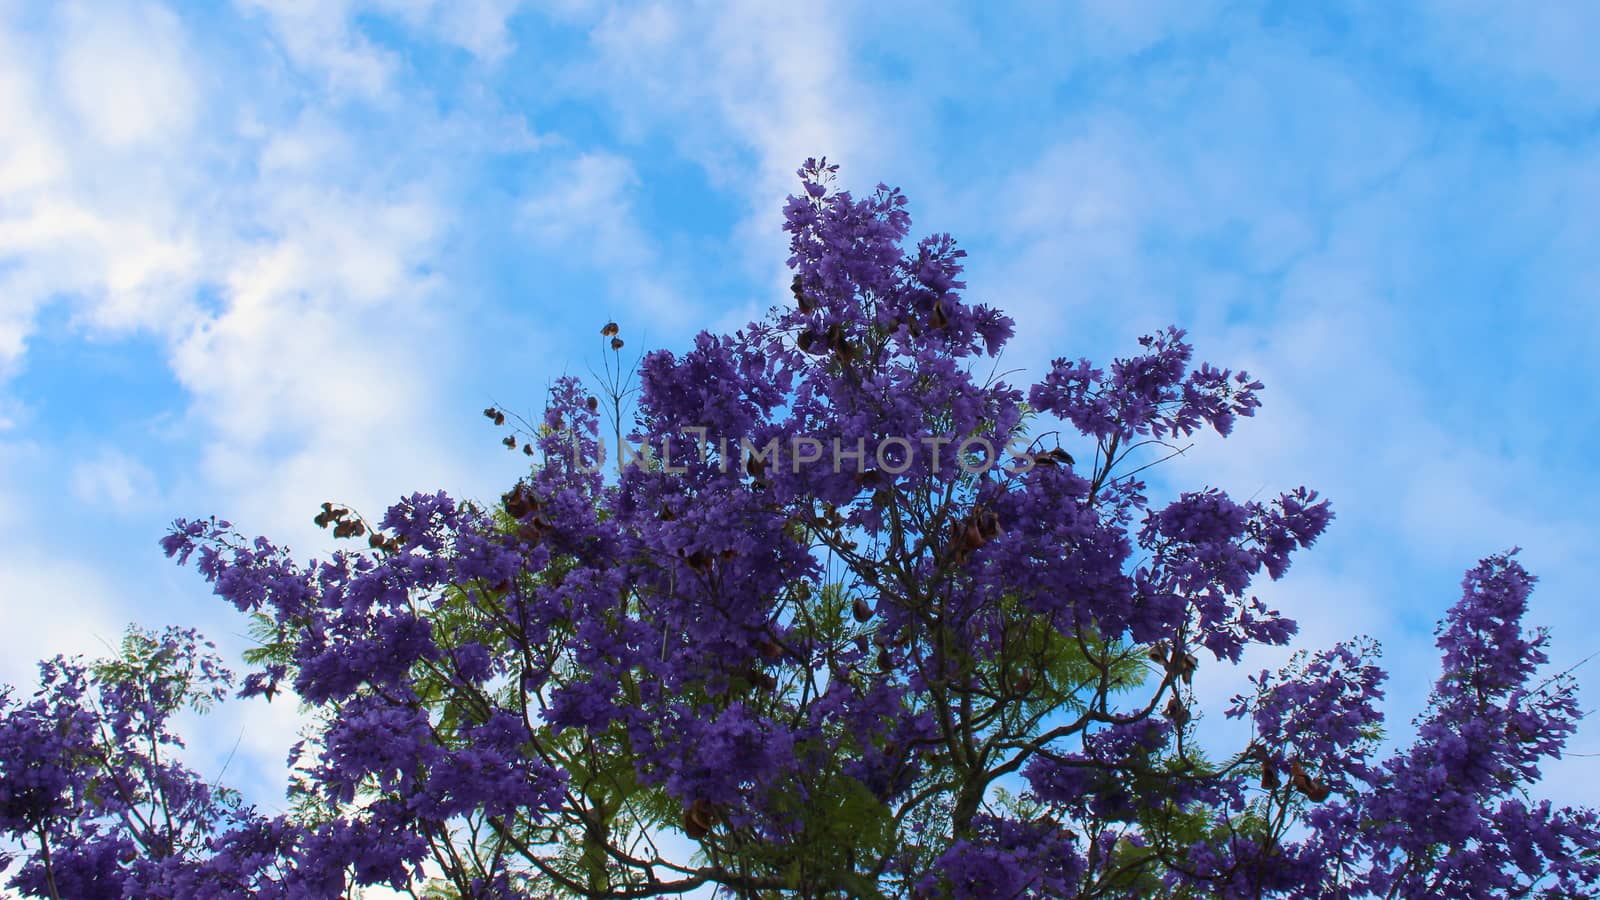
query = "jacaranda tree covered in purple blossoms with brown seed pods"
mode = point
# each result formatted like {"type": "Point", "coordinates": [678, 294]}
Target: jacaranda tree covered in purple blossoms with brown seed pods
{"type": "Point", "coordinates": [850, 617]}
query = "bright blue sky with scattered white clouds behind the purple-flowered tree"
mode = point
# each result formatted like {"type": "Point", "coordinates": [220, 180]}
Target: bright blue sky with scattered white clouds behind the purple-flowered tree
{"type": "Point", "coordinates": [262, 255]}
